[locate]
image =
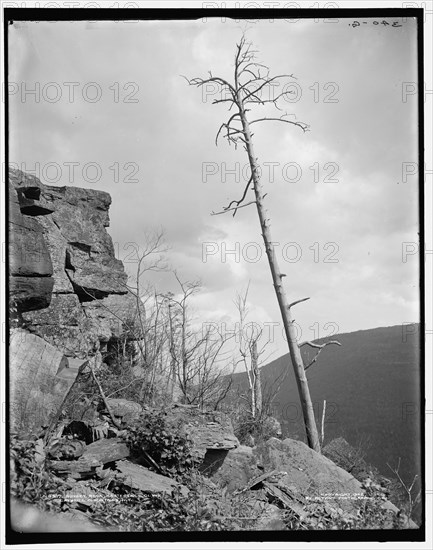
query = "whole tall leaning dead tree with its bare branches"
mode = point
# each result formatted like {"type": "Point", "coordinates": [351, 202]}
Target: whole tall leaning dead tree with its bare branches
{"type": "Point", "coordinates": [244, 94]}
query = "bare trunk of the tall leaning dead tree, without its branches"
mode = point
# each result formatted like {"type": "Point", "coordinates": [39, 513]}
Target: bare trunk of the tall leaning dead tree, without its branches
{"type": "Point", "coordinates": [277, 277]}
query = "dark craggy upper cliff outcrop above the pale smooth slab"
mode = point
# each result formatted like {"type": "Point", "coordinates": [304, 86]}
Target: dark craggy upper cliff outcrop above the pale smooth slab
{"type": "Point", "coordinates": [65, 279]}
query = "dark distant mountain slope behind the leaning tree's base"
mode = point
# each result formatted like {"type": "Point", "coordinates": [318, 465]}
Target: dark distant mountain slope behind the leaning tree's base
{"type": "Point", "coordinates": [372, 386]}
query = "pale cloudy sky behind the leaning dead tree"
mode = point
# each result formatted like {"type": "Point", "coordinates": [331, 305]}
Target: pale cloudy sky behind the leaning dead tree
{"type": "Point", "coordinates": [110, 111]}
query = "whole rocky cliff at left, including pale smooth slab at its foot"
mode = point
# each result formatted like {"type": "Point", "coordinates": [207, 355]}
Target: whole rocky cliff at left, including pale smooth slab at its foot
{"type": "Point", "coordinates": [66, 286]}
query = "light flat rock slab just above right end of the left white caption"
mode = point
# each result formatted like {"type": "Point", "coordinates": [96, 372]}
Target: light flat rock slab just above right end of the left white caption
{"type": "Point", "coordinates": [139, 477]}
